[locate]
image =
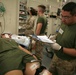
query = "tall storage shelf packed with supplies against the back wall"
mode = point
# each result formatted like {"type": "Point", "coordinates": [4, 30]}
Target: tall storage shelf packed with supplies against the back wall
{"type": "Point", "coordinates": [22, 18]}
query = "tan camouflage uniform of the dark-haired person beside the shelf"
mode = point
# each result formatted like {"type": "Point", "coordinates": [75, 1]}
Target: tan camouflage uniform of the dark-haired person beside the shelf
{"type": "Point", "coordinates": [29, 29]}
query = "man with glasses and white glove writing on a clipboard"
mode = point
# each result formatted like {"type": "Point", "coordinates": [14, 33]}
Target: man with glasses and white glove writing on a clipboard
{"type": "Point", "coordinates": [63, 62]}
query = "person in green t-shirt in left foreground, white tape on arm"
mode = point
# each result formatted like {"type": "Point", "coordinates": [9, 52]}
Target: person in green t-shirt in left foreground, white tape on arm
{"type": "Point", "coordinates": [15, 60]}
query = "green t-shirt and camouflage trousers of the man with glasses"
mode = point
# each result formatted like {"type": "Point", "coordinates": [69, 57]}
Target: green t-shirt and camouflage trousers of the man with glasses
{"type": "Point", "coordinates": [64, 63]}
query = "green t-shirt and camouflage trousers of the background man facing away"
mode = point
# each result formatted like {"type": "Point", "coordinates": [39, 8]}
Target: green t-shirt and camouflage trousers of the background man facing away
{"type": "Point", "coordinates": [39, 45]}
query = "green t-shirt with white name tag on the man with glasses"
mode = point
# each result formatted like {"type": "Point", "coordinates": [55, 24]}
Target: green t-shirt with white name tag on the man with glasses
{"type": "Point", "coordinates": [66, 38]}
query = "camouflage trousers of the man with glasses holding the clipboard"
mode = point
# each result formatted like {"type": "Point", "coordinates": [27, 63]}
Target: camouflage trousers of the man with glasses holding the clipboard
{"type": "Point", "coordinates": [62, 67]}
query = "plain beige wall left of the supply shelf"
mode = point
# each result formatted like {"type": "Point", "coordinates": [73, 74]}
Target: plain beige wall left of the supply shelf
{"type": "Point", "coordinates": [9, 20]}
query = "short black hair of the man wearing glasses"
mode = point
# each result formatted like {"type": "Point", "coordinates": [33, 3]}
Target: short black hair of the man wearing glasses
{"type": "Point", "coordinates": [70, 7]}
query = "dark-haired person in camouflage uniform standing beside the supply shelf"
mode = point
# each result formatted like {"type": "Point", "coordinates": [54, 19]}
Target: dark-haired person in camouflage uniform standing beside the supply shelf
{"type": "Point", "coordinates": [29, 27]}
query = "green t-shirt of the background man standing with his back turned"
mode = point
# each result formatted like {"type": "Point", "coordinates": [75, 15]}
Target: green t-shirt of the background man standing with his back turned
{"type": "Point", "coordinates": [43, 20]}
